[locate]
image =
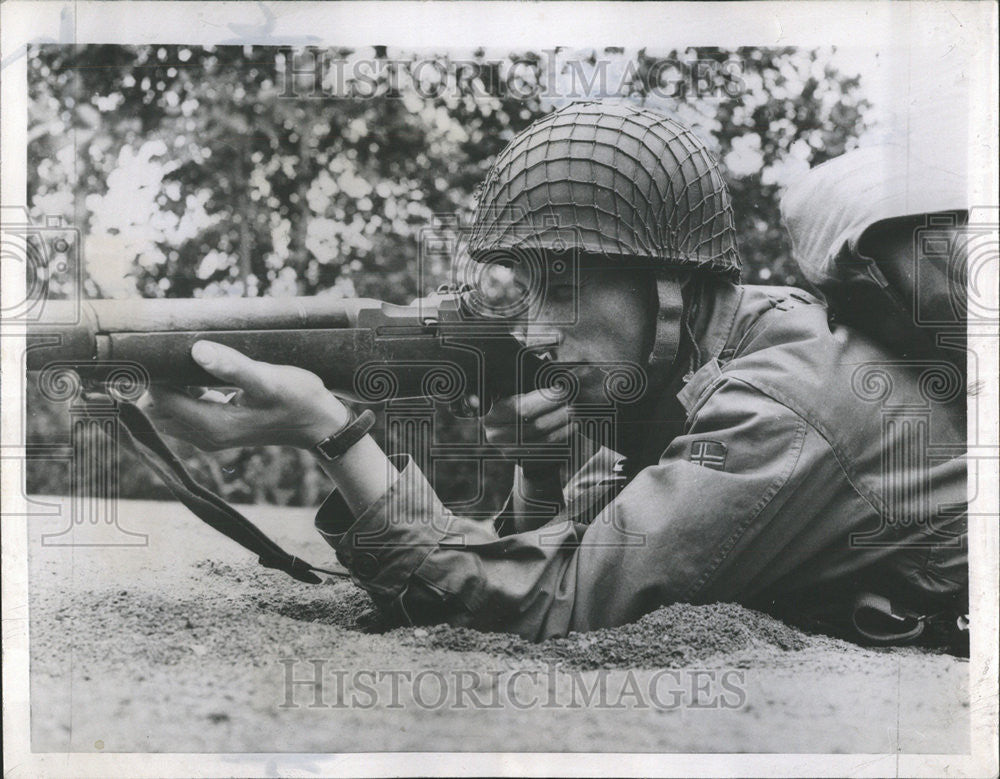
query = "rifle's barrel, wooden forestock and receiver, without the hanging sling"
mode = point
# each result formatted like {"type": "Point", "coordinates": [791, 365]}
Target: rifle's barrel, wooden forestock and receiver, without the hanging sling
{"type": "Point", "coordinates": [359, 347]}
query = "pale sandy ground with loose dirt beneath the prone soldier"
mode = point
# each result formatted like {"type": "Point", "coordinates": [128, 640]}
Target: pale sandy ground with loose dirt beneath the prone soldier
{"type": "Point", "coordinates": [184, 644]}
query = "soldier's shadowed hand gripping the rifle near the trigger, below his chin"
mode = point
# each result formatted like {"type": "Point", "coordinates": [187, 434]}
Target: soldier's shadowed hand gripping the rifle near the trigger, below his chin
{"type": "Point", "coordinates": [533, 418]}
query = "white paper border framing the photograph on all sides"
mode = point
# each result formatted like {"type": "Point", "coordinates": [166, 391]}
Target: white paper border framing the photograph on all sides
{"type": "Point", "coordinates": [971, 27]}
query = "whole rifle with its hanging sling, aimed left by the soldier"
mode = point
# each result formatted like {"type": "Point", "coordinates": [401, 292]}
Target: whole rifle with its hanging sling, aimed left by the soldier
{"type": "Point", "coordinates": [447, 347]}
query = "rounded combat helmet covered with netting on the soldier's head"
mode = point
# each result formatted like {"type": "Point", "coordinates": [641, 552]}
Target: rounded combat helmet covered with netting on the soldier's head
{"type": "Point", "coordinates": [612, 180]}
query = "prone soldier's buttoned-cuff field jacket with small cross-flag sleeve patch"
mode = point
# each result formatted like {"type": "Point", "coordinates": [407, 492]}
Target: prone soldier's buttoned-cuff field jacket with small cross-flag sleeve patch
{"type": "Point", "coordinates": [806, 460]}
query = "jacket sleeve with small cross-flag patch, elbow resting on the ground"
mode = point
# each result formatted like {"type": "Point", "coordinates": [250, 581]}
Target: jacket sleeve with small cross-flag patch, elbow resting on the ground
{"type": "Point", "coordinates": [681, 530]}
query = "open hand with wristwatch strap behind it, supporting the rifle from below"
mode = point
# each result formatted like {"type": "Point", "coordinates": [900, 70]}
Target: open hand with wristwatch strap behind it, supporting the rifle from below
{"type": "Point", "coordinates": [273, 405]}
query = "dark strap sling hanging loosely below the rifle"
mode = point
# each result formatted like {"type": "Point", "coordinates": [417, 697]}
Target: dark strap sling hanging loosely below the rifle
{"type": "Point", "coordinates": [141, 437]}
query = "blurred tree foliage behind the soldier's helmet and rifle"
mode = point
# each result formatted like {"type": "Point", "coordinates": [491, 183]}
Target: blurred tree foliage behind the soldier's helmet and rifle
{"type": "Point", "coordinates": [213, 172]}
